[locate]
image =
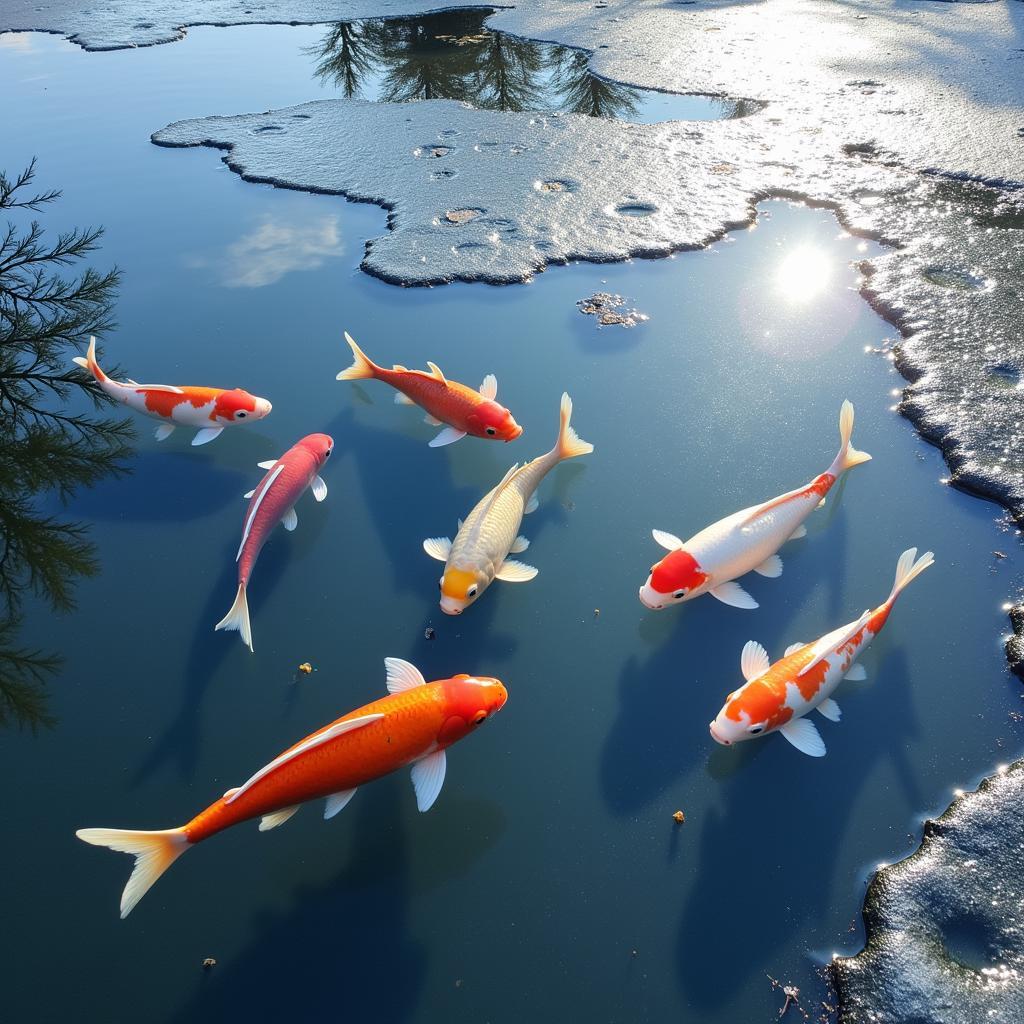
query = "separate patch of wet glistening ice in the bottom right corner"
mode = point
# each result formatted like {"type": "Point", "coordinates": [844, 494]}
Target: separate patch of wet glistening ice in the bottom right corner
{"type": "Point", "coordinates": [946, 928]}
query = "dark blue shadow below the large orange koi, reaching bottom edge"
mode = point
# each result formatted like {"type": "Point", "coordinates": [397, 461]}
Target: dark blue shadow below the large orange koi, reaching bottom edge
{"type": "Point", "coordinates": [332, 942]}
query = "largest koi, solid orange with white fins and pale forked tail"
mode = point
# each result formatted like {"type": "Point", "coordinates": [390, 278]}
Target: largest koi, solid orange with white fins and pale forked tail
{"type": "Point", "coordinates": [413, 726]}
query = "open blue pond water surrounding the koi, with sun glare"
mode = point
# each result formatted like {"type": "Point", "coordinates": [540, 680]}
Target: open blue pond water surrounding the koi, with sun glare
{"type": "Point", "coordinates": [550, 882]}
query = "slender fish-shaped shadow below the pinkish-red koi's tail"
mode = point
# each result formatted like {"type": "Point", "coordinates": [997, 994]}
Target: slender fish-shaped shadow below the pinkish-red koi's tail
{"type": "Point", "coordinates": [181, 742]}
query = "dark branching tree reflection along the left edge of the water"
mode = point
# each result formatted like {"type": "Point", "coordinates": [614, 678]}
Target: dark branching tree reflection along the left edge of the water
{"type": "Point", "coordinates": [53, 440]}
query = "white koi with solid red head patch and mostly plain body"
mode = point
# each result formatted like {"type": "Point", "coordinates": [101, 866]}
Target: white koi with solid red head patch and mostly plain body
{"type": "Point", "coordinates": [710, 562]}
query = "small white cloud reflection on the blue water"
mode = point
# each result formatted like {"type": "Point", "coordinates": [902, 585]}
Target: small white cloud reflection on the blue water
{"type": "Point", "coordinates": [275, 249]}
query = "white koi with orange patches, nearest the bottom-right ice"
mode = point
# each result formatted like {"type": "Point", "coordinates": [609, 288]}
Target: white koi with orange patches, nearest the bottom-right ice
{"type": "Point", "coordinates": [776, 698]}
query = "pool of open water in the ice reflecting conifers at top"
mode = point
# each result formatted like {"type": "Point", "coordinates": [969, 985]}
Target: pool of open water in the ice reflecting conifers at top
{"type": "Point", "coordinates": [453, 56]}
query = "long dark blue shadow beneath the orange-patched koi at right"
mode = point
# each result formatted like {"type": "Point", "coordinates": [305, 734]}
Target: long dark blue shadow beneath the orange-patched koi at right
{"type": "Point", "coordinates": [782, 822]}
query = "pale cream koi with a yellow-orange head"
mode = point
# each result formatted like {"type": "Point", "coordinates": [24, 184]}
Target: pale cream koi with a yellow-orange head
{"type": "Point", "coordinates": [491, 532]}
